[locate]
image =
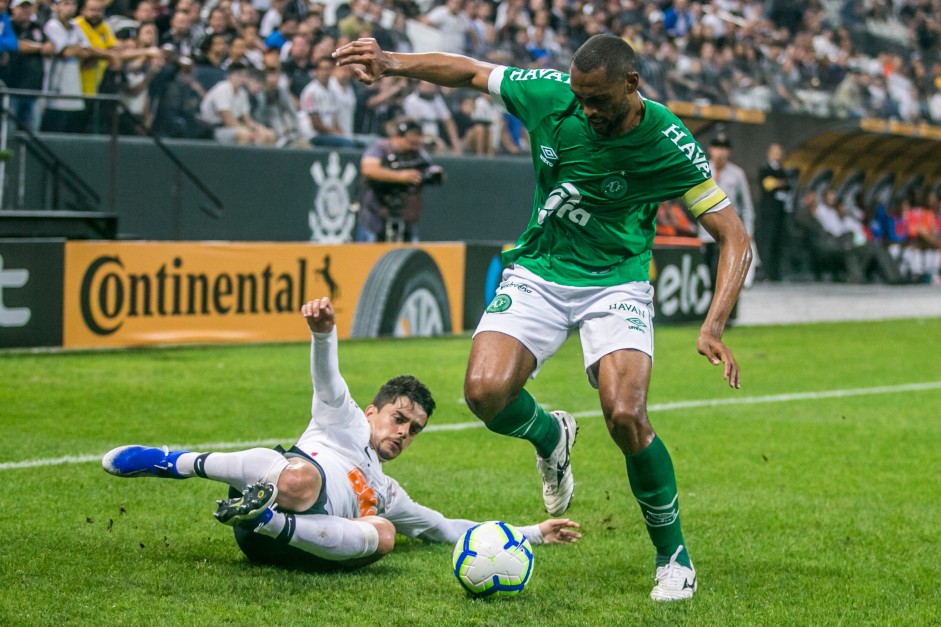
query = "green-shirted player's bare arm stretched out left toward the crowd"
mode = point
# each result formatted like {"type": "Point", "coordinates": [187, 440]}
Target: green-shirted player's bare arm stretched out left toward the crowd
{"type": "Point", "coordinates": [370, 63]}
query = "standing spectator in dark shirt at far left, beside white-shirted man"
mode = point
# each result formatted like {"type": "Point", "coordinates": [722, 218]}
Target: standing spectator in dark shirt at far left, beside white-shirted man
{"type": "Point", "coordinates": [25, 68]}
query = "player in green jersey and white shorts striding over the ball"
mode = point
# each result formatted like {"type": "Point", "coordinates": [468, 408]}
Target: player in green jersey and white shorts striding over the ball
{"type": "Point", "coordinates": [604, 159]}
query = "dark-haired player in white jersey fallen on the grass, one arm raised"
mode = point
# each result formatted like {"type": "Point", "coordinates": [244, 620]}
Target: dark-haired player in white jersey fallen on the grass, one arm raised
{"type": "Point", "coordinates": [326, 502]}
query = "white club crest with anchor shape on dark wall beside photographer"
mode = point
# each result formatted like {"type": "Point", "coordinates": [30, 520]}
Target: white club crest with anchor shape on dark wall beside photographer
{"type": "Point", "coordinates": [331, 221]}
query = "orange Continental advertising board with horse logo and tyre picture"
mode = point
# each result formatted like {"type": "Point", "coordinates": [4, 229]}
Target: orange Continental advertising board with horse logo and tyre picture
{"type": "Point", "coordinates": [144, 293]}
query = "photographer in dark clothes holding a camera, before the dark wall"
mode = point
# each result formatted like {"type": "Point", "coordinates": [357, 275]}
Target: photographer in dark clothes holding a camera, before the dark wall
{"type": "Point", "coordinates": [394, 171]}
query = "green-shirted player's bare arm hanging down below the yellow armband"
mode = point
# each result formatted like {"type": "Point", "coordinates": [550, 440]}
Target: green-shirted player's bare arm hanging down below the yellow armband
{"type": "Point", "coordinates": [734, 259]}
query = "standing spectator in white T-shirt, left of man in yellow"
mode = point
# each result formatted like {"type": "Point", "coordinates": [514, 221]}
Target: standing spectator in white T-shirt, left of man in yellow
{"type": "Point", "coordinates": [62, 74]}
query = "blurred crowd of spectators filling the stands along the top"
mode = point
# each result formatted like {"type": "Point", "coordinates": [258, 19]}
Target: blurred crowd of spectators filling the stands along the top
{"type": "Point", "coordinates": [260, 71]}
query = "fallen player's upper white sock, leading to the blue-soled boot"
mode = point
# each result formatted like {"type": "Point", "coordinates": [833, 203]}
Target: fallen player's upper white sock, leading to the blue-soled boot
{"type": "Point", "coordinates": [240, 469]}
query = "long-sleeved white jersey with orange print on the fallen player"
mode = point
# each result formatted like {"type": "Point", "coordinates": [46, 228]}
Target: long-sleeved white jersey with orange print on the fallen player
{"type": "Point", "coordinates": [337, 438]}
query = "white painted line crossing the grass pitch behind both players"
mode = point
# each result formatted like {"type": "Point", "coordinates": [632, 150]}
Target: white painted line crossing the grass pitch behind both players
{"type": "Point", "coordinates": [460, 426]}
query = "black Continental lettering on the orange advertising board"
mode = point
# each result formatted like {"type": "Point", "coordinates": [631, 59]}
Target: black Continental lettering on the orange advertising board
{"type": "Point", "coordinates": [110, 295]}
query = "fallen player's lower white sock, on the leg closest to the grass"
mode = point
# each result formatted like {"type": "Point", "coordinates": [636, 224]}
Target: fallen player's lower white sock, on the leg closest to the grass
{"type": "Point", "coordinates": [329, 537]}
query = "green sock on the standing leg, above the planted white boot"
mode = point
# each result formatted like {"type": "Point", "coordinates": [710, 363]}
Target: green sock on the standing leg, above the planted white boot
{"type": "Point", "coordinates": [654, 486]}
